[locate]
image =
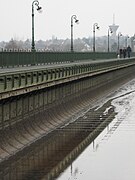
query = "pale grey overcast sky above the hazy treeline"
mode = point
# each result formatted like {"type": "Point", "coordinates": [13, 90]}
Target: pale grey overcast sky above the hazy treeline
{"type": "Point", "coordinates": [15, 18]}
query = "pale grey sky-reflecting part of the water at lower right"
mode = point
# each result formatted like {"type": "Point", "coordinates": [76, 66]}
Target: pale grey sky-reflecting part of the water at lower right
{"type": "Point", "coordinates": [111, 155]}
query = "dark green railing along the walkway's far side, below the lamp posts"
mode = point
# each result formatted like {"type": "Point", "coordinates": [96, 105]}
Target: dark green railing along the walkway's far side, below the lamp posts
{"type": "Point", "coordinates": [20, 58]}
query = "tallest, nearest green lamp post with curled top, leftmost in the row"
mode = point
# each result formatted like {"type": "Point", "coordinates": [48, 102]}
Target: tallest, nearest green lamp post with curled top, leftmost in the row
{"type": "Point", "coordinates": [36, 3]}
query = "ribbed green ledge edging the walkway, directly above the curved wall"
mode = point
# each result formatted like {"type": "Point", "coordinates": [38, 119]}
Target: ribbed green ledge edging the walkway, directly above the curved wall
{"type": "Point", "coordinates": [26, 79]}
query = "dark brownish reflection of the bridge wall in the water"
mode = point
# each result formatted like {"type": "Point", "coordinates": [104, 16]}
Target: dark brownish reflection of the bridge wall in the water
{"type": "Point", "coordinates": [51, 155]}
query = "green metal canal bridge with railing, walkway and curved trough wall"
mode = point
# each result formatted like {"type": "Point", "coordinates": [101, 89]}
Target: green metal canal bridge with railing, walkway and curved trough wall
{"type": "Point", "coordinates": [43, 91]}
